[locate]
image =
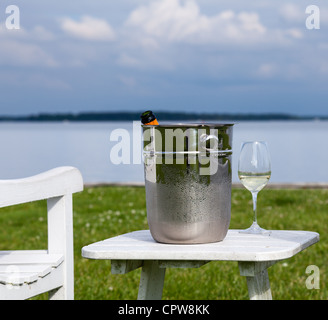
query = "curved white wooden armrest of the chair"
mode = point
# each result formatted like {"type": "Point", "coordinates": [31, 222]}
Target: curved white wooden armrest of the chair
{"type": "Point", "coordinates": [53, 183]}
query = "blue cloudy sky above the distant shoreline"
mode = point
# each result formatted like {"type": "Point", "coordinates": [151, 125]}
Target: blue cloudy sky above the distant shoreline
{"type": "Point", "coordinates": [217, 56]}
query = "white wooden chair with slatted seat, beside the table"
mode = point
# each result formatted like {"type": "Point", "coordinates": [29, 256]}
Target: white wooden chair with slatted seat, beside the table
{"type": "Point", "coordinates": [26, 273]}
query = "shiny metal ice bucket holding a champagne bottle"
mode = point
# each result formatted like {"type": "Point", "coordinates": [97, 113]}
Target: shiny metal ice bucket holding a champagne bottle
{"type": "Point", "coordinates": [188, 181]}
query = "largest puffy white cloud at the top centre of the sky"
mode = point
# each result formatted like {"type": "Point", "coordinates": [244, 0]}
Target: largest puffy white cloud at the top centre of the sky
{"type": "Point", "coordinates": [176, 21]}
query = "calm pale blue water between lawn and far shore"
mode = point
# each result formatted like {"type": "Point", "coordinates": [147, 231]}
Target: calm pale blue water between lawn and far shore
{"type": "Point", "coordinates": [299, 150]}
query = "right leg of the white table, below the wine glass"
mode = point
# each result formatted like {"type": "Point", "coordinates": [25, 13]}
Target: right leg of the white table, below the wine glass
{"type": "Point", "coordinates": [256, 274]}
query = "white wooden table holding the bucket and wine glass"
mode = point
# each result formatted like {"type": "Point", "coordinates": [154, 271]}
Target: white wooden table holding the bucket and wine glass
{"type": "Point", "coordinates": [254, 253]}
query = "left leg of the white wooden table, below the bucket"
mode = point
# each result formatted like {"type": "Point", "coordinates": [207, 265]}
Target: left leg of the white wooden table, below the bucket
{"type": "Point", "coordinates": [151, 281]}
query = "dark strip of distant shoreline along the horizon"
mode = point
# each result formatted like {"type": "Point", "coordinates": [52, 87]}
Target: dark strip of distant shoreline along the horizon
{"type": "Point", "coordinates": [162, 115]}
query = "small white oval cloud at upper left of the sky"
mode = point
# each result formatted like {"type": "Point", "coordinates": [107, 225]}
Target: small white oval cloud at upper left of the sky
{"type": "Point", "coordinates": [88, 28]}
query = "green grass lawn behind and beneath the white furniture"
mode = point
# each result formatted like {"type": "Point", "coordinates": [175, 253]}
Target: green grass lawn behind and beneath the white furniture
{"type": "Point", "coordinates": [103, 212]}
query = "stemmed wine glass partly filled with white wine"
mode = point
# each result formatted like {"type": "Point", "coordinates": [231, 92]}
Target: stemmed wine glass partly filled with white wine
{"type": "Point", "coordinates": [254, 171]}
